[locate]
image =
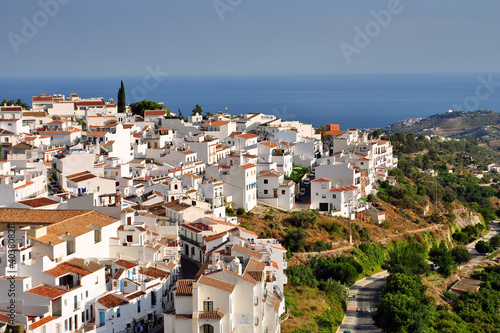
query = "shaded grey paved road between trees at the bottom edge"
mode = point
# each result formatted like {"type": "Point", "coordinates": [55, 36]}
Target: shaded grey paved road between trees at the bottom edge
{"type": "Point", "coordinates": [362, 303]}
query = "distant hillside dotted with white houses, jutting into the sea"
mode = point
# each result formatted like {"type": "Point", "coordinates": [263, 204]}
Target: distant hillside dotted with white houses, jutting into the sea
{"type": "Point", "coordinates": [455, 124]}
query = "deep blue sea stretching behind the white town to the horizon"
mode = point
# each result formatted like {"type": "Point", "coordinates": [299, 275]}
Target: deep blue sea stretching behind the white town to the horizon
{"type": "Point", "coordinates": [362, 101]}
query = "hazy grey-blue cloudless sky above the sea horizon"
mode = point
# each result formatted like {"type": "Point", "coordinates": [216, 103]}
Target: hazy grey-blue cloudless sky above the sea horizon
{"type": "Point", "coordinates": [72, 38]}
